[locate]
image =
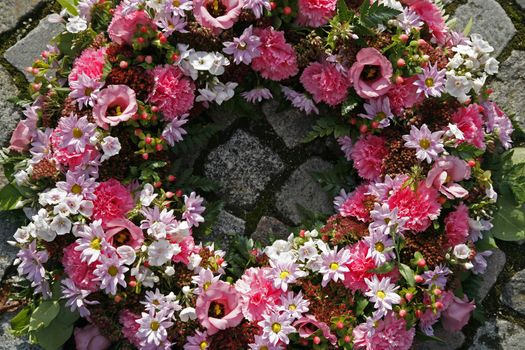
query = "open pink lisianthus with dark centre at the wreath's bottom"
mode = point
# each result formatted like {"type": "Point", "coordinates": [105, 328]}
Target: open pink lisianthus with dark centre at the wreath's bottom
{"type": "Point", "coordinates": [222, 301]}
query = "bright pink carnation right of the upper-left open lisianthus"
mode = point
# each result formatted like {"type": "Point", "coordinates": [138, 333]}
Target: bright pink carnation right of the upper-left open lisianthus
{"type": "Point", "coordinates": [172, 92]}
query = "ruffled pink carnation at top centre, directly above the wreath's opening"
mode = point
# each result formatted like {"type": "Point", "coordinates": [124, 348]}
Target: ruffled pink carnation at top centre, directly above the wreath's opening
{"type": "Point", "coordinates": [278, 60]}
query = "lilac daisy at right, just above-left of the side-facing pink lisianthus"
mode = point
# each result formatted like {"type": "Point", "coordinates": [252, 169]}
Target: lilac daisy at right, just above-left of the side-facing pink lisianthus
{"type": "Point", "coordinates": [428, 144]}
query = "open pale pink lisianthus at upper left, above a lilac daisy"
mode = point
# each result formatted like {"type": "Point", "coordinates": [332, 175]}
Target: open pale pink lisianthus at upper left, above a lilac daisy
{"type": "Point", "coordinates": [115, 104]}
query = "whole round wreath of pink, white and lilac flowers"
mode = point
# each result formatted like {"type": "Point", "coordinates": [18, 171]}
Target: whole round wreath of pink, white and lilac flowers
{"type": "Point", "coordinates": [109, 255]}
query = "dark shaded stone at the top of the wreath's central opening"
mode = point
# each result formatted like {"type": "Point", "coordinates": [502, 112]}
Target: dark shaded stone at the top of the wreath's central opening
{"type": "Point", "coordinates": [291, 124]}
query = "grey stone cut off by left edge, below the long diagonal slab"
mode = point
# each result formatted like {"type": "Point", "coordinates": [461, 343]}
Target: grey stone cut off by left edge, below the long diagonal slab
{"type": "Point", "coordinates": [9, 114]}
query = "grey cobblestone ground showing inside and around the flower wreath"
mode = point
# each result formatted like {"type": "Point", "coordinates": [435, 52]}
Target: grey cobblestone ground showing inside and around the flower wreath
{"type": "Point", "coordinates": [265, 171]}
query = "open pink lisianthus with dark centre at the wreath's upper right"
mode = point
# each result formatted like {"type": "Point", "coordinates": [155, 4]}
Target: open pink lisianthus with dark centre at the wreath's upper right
{"type": "Point", "coordinates": [371, 73]}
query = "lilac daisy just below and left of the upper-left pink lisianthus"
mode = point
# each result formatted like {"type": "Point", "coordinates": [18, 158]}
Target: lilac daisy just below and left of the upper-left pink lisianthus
{"type": "Point", "coordinates": [75, 132]}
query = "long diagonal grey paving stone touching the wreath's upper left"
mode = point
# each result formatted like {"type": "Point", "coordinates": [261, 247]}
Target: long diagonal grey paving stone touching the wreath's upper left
{"type": "Point", "coordinates": [25, 51]}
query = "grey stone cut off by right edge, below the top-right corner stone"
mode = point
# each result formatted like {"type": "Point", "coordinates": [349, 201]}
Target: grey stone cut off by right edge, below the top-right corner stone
{"type": "Point", "coordinates": [509, 88]}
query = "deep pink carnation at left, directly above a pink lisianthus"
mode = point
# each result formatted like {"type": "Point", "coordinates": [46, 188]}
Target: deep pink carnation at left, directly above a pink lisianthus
{"type": "Point", "coordinates": [113, 201]}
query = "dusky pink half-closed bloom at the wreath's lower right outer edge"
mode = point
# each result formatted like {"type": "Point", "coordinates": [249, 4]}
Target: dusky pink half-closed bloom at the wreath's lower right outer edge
{"type": "Point", "coordinates": [456, 313]}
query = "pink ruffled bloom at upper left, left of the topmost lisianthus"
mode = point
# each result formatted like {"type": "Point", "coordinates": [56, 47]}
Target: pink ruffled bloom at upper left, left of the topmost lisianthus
{"type": "Point", "coordinates": [122, 28]}
